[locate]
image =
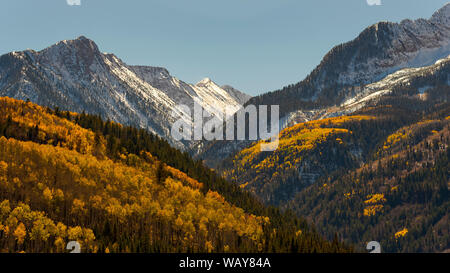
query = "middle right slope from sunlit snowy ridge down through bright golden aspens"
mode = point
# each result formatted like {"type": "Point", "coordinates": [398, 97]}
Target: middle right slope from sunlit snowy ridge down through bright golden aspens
{"type": "Point", "coordinates": [309, 150]}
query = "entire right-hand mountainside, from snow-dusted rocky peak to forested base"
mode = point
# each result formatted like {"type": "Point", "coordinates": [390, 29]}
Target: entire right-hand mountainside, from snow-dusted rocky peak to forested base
{"type": "Point", "coordinates": [363, 155]}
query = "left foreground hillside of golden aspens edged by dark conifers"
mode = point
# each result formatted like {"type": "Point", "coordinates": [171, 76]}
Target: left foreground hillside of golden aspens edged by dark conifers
{"type": "Point", "coordinates": [120, 189]}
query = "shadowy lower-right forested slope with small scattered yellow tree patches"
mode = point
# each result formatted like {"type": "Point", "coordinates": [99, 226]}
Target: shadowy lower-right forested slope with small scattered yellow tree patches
{"type": "Point", "coordinates": [400, 198]}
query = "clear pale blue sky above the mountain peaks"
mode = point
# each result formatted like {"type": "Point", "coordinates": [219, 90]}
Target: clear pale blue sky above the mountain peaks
{"type": "Point", "coordinates": [253, 45]}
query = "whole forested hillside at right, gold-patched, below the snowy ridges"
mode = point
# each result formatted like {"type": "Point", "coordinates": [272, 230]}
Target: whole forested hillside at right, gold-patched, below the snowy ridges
{"type": "Point", "coordinates": [381, 174]}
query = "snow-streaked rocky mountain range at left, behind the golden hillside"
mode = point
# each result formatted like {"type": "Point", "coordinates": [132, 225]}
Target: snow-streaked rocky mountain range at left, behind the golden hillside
{"type": "Point", "coordinates": [74, 75]}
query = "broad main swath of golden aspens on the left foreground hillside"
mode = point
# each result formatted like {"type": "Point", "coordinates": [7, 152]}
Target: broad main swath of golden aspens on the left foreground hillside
{"type": "Point", "coordinates": [50, 177]}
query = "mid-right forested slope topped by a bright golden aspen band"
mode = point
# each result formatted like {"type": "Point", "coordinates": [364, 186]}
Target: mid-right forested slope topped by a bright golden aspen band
{"type": "Point", "coordinates": [308, 151]}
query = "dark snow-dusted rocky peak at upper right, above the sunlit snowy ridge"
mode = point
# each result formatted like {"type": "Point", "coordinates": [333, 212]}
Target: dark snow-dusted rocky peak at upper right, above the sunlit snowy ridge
{"type": "Point", "coordinates": [378, 51]}
